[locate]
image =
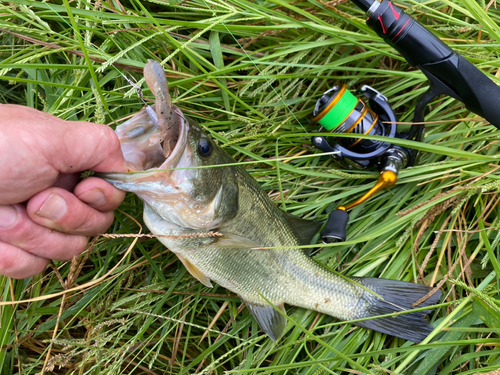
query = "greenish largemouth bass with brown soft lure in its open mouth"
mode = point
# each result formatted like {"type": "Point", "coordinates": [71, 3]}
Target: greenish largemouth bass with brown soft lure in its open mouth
{"type": "Point", "coordinates": [227, 200]}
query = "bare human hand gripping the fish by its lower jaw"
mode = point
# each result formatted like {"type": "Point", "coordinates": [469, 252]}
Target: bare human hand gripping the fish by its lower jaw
{"type": "Point", "coordinates": [40, 160]}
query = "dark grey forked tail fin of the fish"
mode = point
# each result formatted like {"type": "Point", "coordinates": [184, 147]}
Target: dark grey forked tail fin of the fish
{"type": "Point", "coordinates": [398, 295]}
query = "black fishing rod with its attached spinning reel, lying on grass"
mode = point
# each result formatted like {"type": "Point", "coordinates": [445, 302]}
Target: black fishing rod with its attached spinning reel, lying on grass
{"type": "Point", "coordinates": [339, 111]}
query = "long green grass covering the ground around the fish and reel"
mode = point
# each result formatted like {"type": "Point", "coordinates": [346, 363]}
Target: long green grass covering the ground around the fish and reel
{"type": "Point", "coordinates": [251, 71]}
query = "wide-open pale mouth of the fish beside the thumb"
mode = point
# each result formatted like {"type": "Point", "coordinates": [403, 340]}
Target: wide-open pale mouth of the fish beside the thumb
{"type": "Point", "coordinates": [149, 150]}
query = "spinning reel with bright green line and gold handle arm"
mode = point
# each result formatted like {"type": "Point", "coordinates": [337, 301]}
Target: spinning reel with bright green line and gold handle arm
{"type": "Point", "coordinates": [338, 111]}
